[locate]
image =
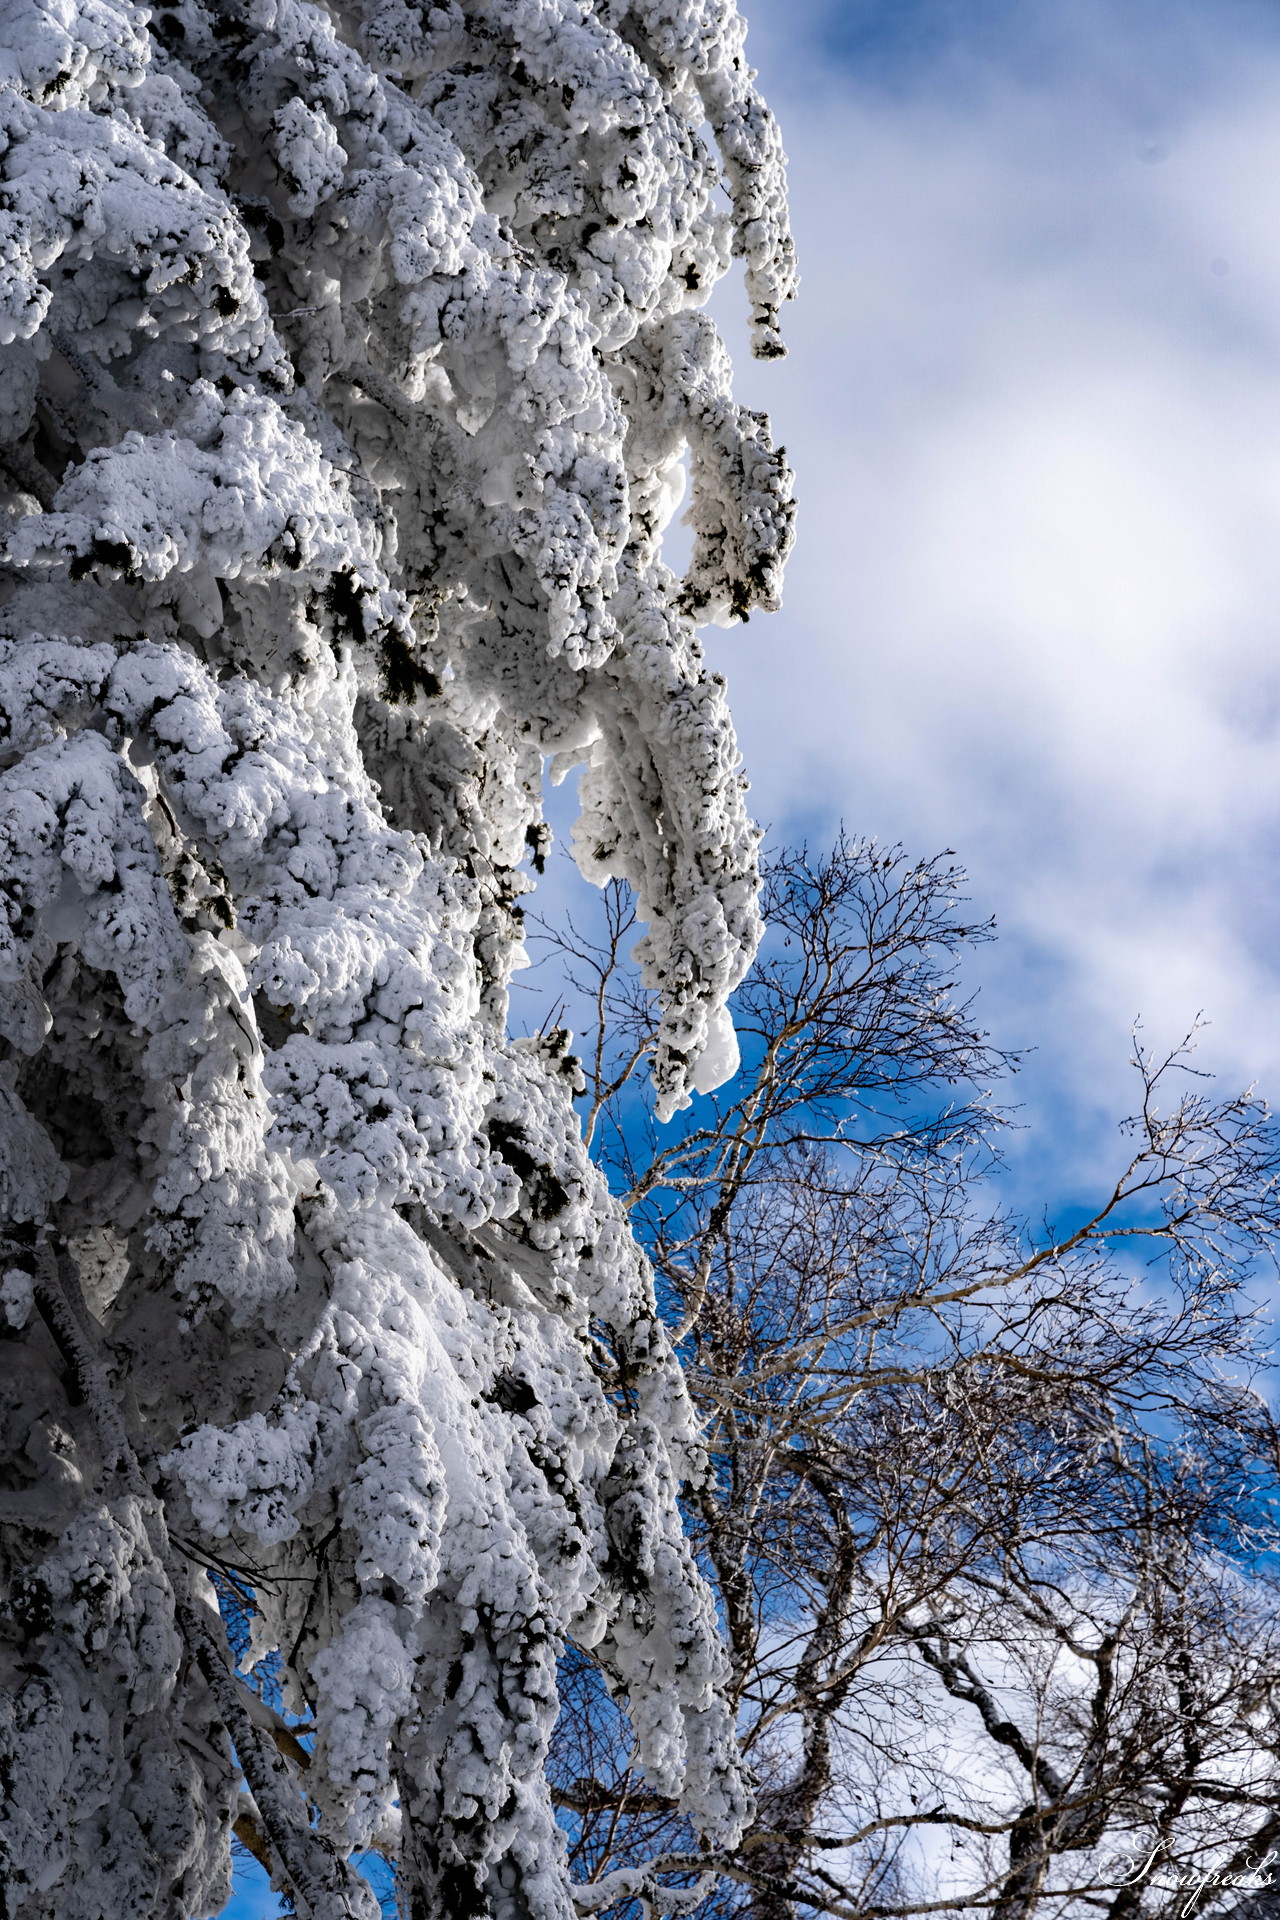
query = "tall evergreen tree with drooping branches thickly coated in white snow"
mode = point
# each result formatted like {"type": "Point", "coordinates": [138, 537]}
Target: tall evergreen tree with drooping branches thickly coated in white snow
{"type": "Point", "coordinates": [350, 358]}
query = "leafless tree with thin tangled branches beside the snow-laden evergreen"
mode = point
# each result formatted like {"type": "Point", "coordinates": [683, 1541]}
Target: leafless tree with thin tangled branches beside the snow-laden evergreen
{"type": "Point", "coordinates": [989, 1512]}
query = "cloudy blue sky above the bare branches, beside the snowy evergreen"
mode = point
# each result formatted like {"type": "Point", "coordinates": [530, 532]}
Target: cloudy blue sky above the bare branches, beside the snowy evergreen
{"type": "Point", "coordinates": [1035, 408]}
